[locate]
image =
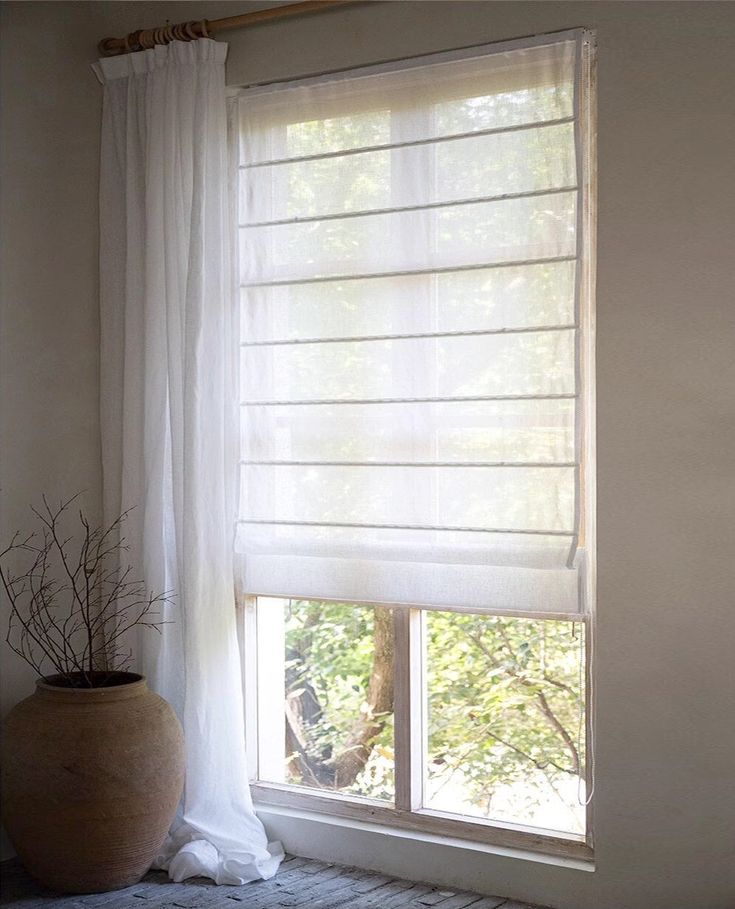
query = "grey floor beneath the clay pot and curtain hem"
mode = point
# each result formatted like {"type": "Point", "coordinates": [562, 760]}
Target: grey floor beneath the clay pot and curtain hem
{"type": "Point", "coordinates": [300, 883]}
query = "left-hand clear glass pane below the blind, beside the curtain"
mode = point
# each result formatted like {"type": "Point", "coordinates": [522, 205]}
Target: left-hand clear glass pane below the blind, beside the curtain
{"type": "Point", "coordinates": [325, 696]}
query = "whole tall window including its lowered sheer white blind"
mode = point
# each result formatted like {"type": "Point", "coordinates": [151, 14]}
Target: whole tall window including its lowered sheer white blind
{"type": "Point", "coordinates": [415, 536]}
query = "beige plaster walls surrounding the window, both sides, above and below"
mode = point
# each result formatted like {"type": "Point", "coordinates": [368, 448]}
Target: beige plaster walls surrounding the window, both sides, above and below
{"type": "Point", "coordinates": [665, 671]}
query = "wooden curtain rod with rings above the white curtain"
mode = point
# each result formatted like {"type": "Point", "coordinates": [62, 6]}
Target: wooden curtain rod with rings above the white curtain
{"type": "Point", "coordinates": [145, 38]}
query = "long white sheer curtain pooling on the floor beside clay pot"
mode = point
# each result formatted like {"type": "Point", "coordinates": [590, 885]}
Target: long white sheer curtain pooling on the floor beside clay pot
{"type": "Point", "coordinates": [167, 406]}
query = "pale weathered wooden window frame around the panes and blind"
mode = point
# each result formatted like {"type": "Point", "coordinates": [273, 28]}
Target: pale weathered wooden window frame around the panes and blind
{"type": "Point", "coordinates": [407, 813]}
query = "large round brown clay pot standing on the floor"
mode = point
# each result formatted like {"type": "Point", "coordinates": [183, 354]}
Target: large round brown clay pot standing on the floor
{"type": "Point", "coordinates": [91, 781]}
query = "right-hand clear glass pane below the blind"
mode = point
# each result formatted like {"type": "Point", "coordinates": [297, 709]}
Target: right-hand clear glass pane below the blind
{"type": "Point", "coordinates": [506, 719]}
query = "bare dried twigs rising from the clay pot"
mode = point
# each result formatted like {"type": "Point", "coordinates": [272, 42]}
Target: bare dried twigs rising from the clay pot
{"type": "Point", "coordinates": [72, 603]}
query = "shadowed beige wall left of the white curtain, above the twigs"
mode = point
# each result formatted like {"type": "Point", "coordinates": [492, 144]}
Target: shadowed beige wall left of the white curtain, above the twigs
{"type": "Point", "coordinates": [49, 431]}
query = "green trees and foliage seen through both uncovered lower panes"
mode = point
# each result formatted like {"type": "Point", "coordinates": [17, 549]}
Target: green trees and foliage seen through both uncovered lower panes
{"type": "Point", "coordinates": [503, 705]}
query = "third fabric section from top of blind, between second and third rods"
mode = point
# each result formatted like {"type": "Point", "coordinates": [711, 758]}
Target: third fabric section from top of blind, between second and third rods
{"type": "Point", "coordinates": [496, 231]}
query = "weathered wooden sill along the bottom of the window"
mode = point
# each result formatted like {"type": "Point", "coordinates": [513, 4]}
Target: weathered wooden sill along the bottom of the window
{"type": "Point", "coordinates": [527, 844]}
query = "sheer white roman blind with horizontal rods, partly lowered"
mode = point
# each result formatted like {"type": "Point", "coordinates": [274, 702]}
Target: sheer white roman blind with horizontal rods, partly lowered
{"type": "Point", "coordinates": [411, 242]}
